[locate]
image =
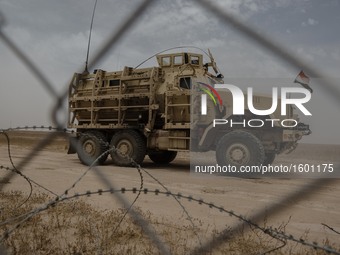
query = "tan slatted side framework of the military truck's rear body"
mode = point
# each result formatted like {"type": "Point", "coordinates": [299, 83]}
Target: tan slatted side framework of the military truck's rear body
{"type": "Point", "coordinates": [109, 100]}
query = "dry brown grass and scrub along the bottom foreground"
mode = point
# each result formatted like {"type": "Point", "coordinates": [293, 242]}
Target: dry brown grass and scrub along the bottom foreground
{"type": "Point", "coordinates": [75, 227]}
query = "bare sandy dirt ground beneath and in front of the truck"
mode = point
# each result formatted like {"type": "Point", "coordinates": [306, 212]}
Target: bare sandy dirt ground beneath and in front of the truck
{"type": "Point", "coordinates": [306, 215]}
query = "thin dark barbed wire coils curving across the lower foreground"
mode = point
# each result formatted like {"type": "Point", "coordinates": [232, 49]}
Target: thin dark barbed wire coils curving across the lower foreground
{"type": "Point", "coordinates": [279, 235]}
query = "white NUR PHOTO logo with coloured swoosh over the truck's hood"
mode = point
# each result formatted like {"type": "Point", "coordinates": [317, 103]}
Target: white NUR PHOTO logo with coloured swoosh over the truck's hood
{"type": "Point", "coordinates": [301, 97]}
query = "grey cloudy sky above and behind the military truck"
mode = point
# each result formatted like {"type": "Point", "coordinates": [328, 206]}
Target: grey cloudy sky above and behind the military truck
{"type": "Point", "coordinates": [54, 35]}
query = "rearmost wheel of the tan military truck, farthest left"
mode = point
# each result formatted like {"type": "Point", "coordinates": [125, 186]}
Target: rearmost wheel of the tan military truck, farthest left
{"type": "Point", "coordinates": [91, 145]}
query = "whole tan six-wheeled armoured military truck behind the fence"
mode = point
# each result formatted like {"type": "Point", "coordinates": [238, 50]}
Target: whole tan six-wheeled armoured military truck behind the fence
{"type": "Point", "coordinates": [155, 111]}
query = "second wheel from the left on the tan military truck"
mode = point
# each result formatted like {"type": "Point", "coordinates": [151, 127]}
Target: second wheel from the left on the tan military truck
{"type": "Point", "coordinates": [130, 145]}
